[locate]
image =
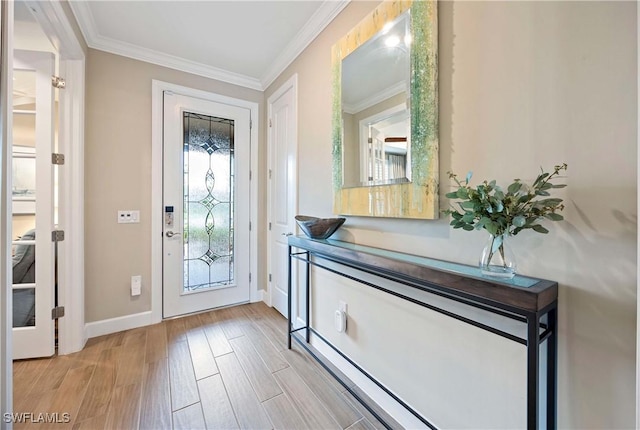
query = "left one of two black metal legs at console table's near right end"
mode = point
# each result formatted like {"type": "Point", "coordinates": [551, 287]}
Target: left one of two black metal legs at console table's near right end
{"type": "Point", "coordinates": [533, 369]}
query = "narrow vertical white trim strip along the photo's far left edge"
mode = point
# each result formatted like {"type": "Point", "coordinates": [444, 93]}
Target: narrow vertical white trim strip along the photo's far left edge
{"type": "Point", "coordinates": [6, 299]}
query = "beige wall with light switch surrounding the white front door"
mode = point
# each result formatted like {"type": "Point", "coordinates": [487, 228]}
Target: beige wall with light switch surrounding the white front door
{"type": "Point", "coordinates": [118, 176]}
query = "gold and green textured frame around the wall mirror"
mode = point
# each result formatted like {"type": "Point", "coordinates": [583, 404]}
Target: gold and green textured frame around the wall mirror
{"type": "Point", "coordinates": [418, 198]}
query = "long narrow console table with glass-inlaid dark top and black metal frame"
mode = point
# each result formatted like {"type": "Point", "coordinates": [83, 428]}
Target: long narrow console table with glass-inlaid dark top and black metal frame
{"type": "Point", "coordinates": [531, 301]}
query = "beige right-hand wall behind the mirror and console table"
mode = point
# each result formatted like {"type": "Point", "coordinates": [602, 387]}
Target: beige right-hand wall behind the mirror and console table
{"type": "Point", "coordinates": [522, 85]}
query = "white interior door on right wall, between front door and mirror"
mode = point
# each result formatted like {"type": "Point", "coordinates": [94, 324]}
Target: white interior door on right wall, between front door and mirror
{"type": "Point", "coordinates": [282, 188]}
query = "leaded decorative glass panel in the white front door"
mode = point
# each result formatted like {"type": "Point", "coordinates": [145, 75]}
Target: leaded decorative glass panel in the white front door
{"type": "Point", "coordinates": [208, 201]}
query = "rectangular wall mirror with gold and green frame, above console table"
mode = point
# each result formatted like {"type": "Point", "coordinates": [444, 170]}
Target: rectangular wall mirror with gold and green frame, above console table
{"type": "Point", "coordinates": [385, 114]}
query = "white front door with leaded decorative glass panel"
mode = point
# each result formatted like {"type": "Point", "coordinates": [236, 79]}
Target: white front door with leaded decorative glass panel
{"type": "Point", "coordinates": [206, 205]}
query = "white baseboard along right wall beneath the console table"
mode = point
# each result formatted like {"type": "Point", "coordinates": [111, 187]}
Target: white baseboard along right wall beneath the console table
{"type": "Point", "coordinates": [382, 399]}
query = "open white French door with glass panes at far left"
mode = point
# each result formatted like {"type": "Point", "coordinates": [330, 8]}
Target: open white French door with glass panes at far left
{"type": "Point", "coordinates": [33, 205]}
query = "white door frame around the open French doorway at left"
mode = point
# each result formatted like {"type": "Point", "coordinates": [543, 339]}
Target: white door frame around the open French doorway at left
{"type": "Point", "coordinates": [56, 25]}
